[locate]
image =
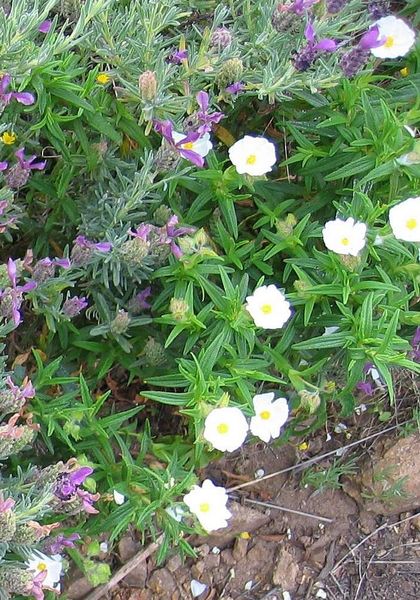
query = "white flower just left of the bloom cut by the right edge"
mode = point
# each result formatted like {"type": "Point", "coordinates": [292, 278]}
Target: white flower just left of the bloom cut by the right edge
{"type": "Point", "coordinates": [344, 237]}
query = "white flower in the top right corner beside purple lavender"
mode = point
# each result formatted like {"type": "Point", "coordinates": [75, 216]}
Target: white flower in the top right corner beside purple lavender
{"type": "Point", "coordinates": [397, 35]}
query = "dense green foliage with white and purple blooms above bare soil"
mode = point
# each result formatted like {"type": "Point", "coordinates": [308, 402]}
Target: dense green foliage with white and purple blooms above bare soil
{"type": "Point", "coordinates": [210, 237]}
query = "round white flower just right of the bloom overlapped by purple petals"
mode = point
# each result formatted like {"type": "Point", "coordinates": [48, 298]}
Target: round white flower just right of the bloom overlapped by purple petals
{"type": "Point", "coordinates": [253, 155]}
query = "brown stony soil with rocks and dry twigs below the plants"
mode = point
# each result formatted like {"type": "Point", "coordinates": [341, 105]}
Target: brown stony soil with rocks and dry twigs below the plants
{"type": "Point", "coordinates": [271, 554]}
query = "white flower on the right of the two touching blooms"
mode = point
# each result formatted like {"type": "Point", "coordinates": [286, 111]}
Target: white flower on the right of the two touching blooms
{"type": "Point", "coordinates": [270, 415]}
